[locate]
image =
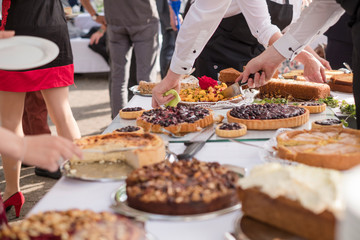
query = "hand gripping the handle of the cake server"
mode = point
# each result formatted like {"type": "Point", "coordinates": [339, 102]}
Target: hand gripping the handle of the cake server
{"type": "Point", "coordinates": [267, 62]}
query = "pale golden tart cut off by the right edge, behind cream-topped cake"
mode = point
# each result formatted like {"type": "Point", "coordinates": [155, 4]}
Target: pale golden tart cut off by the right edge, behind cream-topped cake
{"type": "Point", "coordinates": [335, 148]}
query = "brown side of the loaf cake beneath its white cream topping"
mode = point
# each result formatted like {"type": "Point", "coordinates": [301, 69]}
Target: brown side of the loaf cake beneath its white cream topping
{"type": "Point", "coordinates": [287, 214]}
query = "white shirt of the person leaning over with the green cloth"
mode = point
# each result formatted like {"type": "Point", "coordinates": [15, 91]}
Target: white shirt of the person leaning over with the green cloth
{"type": "Point", "coordinates": [204, 17]}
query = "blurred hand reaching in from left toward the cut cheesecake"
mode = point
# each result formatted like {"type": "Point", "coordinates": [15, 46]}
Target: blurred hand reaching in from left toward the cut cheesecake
{"type": "Point", "coordinates": [45, 151]}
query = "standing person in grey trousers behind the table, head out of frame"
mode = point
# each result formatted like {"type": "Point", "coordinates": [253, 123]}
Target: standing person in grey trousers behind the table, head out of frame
{"type": "Point", "coordinates": [129, 25]}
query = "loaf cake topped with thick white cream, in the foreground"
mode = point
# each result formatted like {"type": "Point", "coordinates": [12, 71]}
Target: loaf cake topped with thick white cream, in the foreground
{"type": "Point", "coordinates": [299, 199]}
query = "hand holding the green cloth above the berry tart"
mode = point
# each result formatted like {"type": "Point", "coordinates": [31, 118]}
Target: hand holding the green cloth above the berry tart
{"type": "Point", "coordinates": [171, 81]}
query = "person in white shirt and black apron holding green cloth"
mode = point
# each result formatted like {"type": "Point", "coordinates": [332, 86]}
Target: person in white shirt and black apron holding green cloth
{"type": "Point", "coordinates": [202, 21]}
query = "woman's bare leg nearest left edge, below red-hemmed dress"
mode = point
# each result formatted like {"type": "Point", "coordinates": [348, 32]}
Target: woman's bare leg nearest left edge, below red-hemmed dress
{"type": "Point", "coordinates": [11, 111]}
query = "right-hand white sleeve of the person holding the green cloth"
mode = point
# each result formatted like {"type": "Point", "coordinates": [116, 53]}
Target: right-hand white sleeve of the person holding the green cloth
{"type": "Point", "coordinates": [258, 19]}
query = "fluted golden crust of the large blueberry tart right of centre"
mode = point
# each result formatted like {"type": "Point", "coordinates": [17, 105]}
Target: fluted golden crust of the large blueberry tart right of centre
{"type": "Point", "coordinates": [270, 124]}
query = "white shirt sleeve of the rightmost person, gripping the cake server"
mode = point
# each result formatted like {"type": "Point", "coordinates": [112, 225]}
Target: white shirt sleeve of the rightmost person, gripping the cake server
{"type": "Point", "coordinates": [314, 21]}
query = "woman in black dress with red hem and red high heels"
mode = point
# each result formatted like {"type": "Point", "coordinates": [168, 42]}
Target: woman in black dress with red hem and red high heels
{"type": "Point", "coordinates": [47, 20]}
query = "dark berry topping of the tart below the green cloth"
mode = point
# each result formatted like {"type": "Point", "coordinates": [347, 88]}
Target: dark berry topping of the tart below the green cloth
{"type": "Point", "coordinates": [175, 115]}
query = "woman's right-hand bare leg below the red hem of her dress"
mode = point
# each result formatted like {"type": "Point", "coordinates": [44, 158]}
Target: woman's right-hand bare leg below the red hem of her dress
{"type": "Point", "coordinates": [57, 102]}
